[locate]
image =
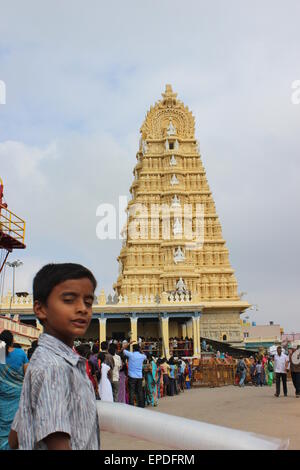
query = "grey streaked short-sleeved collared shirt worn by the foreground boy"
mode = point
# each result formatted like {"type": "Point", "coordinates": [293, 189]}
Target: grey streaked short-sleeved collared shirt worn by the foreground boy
{"type": "Point", "coordinates": [57, 396]}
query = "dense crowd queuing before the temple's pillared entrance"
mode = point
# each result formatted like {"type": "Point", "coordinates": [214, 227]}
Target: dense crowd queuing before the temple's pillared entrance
{"type": "Point", "coordinates": [139, 377]}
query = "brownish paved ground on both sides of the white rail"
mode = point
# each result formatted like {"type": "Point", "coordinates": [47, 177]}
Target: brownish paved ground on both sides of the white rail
{"type": "Point", "coordinates": [253, 409]}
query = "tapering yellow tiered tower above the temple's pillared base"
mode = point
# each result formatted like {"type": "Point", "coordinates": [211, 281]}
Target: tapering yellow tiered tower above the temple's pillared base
{"type": "Point", "coordinates": [159, 258]}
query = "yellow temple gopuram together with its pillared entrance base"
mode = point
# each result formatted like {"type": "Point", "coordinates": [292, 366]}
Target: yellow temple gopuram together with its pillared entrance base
{"type": "Point", "coordinates": [175, 278]}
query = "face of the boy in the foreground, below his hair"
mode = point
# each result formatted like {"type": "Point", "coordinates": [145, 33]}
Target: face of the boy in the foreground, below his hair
{"type": "Point", "coordinates": [68, 312]}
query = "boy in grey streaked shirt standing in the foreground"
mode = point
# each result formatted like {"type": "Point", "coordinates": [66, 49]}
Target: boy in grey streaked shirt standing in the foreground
{"type": "Point", "coordinates": [57, 409]}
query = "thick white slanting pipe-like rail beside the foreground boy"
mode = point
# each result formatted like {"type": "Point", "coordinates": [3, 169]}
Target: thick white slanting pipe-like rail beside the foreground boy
{"type": "Point", "coordinates": [175, 432]}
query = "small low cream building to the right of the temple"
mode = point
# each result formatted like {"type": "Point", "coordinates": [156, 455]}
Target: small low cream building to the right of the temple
{"type": "Point", "coordinates": [257, 336]}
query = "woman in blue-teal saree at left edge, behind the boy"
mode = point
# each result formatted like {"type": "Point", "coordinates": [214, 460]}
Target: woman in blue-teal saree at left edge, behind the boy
{"type": "Point", "coordinates": [11, 381]}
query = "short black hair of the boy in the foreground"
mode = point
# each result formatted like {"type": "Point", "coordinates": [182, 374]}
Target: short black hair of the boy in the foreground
{"type": "Point", "coordinates": [53, 274]}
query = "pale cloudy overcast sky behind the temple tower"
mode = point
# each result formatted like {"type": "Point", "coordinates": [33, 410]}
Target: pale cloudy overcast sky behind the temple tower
{"type": "Point", "coordinates": [80, 77]}
